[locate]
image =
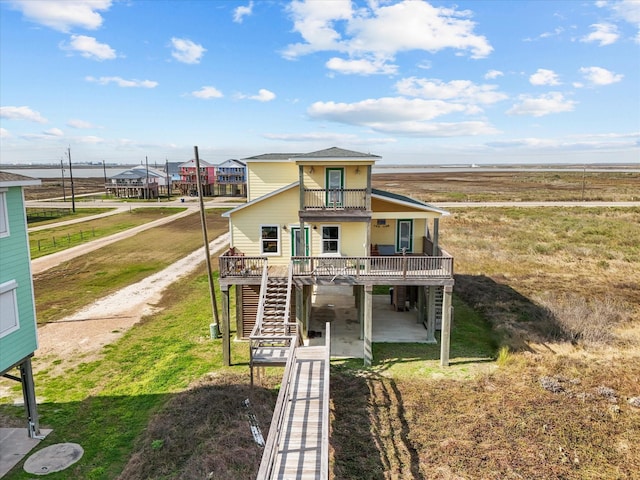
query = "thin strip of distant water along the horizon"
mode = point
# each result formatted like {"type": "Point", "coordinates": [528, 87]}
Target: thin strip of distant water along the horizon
{"type": "Point", "coordinates": [99, 172]}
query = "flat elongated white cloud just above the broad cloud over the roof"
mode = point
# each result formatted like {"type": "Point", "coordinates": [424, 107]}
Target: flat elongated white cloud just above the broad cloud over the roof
{"type": "Point", "coordinates": [455, 90]}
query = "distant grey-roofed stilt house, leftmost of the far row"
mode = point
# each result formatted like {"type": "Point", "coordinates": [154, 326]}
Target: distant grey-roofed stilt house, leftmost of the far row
{"type": "Point", "coordinates": [138, 182]}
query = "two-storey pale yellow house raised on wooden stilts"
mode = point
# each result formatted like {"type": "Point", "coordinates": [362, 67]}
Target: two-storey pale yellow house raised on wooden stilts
{"type": "Point", "coordinates": [314, 219]}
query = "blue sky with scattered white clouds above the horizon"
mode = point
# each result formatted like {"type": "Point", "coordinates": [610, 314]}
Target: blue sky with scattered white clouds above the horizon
{"type": "Point", "coordinates": [413, 81]}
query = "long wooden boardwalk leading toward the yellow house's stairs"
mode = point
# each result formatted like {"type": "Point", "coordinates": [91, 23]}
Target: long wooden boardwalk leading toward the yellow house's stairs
{"type": "Point", "coordinates": [303, 442]}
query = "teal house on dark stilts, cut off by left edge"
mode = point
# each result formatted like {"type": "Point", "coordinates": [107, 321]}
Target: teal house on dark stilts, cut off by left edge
{"type": "Point", "coordinates": [18, 329]}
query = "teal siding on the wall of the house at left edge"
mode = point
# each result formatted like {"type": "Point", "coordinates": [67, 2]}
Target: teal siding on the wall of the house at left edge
{"type": "Point", "coordinates": [15, 264]}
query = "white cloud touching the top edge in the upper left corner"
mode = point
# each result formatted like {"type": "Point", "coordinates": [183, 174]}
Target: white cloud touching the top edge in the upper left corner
{"type": "Point", "coordinates": [64, 15]}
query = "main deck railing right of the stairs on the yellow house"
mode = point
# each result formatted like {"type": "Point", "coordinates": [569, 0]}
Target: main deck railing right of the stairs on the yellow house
{"type": "Point", "coordinates": [399, 266]}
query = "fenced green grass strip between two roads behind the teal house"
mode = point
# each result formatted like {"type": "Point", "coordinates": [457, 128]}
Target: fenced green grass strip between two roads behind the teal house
{"type": "Point", "coordinates": [46, 242]}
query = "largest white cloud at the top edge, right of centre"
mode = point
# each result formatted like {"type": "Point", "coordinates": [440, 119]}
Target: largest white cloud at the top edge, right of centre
{"type": "Point", "coordinates": [381, 31]}
